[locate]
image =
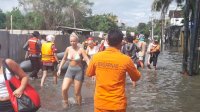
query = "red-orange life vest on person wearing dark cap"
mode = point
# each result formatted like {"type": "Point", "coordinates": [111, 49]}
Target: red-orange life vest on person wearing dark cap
{"type": "Point", "coordinates": [32, 43]}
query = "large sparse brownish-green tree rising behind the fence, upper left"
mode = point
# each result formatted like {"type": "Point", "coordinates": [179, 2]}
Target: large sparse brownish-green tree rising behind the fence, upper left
{"type": "Point", "coordinates": [58, 12]}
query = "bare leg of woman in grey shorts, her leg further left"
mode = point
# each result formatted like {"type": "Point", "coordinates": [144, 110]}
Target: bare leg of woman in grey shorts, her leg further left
{"type": "Point", "coordinates": [65, 87]}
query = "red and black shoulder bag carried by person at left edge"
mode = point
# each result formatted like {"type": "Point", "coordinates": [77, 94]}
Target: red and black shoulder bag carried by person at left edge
{"type": "Point", "coordinates": [29, 100]}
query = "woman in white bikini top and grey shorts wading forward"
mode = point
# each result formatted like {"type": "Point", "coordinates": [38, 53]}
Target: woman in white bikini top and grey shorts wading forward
{"type": "Point", "coordinates": [74, 72]}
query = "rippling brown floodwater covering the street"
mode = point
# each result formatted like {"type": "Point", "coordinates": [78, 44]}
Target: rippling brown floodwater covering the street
{"type": "Point", "coordinates": [163, 90]}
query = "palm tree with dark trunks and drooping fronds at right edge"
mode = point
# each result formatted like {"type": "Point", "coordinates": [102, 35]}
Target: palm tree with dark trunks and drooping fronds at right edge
{"type": "Point", "coordinates": [191, 14]}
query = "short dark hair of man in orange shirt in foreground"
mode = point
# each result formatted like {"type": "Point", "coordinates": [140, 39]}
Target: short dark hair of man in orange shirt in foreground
{"type": "Point", "coordinates": [115, 37]}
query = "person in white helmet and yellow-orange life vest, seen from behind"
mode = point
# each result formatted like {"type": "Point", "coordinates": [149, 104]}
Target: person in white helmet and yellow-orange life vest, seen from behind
{"type": "Point", "coordinates": [49, 58]}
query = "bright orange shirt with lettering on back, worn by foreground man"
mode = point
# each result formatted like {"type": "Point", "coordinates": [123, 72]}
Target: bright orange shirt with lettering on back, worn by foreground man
{"type": "Point", "coordinates": [110, 67]}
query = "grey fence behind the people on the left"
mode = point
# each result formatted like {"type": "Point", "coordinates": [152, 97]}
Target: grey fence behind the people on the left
{"type": "Point", "coordinates": [12, 45]}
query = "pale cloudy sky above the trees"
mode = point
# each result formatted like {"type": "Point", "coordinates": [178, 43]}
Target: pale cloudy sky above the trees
{"type": "Point", "coordinates": [130, 12]}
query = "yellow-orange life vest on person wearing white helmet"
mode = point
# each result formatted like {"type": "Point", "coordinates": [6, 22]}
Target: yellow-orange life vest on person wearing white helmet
{"type": "Point", "coordinates": [47, 52]}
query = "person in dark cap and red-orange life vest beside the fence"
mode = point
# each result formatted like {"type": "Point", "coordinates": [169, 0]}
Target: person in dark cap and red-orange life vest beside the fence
{"type": "Point", "coordinates": [33, 47]}
